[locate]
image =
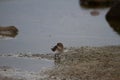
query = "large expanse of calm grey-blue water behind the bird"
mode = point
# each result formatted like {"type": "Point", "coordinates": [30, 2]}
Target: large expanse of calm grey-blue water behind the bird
{"type": "Point", "coordinates": [43, 23]}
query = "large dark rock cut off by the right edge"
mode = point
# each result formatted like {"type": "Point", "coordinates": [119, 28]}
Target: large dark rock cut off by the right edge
{"type": "Point", "coordinates": [113, 17]}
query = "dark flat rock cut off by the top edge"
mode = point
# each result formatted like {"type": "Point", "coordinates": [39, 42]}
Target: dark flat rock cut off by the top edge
{"type": "Point", "coordinates": [96, 3]}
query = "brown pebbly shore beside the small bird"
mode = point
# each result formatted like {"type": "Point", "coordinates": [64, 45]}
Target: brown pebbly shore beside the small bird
{"type": "Point", "coordinates": [84, 63]}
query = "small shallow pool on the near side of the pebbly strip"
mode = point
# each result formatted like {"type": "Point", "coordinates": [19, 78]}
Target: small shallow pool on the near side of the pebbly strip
{"type": "Point", "coordinates": [26, 64]}
